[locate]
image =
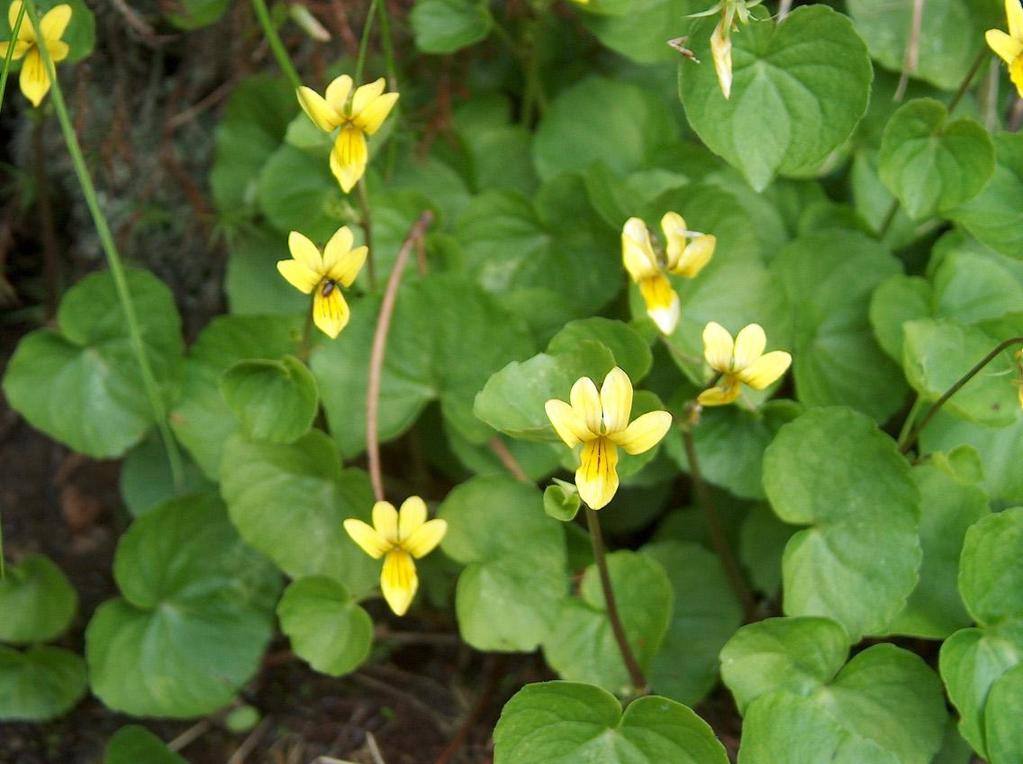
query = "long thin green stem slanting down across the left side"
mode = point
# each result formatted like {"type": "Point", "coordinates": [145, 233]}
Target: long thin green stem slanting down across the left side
{"type": "Point", "coordinates": [113, 257]}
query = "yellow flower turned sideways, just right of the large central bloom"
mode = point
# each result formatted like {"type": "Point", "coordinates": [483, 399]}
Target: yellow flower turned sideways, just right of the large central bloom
{"type": "Point", "coordinates": [740, 363]}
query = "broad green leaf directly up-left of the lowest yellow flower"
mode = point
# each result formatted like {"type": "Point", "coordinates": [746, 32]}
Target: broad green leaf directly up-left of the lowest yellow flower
{"type": "Point", "coordinates": [289, 502]}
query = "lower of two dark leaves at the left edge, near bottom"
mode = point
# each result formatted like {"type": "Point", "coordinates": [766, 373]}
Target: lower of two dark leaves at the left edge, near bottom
{"type": "Point", "coordinates": [41, 684]}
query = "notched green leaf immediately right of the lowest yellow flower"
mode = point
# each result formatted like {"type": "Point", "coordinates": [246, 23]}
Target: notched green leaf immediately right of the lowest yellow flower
{"type": "Point", "coordinates": [508, 597]}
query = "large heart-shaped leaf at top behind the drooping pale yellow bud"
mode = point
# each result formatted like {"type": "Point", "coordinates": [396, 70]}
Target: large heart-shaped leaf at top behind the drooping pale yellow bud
{"type": "Point", "coordinates": [799, 87]}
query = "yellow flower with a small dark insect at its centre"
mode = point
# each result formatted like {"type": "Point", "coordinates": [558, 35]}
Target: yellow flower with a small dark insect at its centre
{"type": "Point", "coordinates": [327, 274]}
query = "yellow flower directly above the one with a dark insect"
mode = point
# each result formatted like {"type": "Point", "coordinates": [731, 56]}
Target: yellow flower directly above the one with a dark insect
{"type": "Point", "coordinates": [358, 117]}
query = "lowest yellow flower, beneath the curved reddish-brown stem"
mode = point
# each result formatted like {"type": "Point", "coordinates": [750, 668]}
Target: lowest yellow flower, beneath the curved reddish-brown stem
{"type": "Point", "coordinates": [398, 537]}
